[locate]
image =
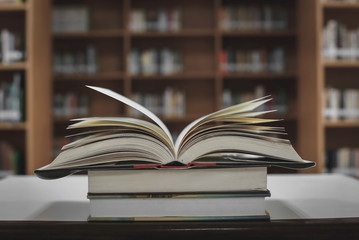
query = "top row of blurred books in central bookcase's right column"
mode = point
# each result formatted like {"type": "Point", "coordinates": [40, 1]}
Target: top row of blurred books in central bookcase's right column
{"type": "Point", "coordinates": [254, 17]}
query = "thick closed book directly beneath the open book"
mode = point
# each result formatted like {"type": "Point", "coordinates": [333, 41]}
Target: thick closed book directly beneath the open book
{"type": "Point", "coordinates": [178, 180]}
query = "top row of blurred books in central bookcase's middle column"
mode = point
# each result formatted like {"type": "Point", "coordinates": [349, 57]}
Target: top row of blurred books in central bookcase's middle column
{"type": "Point", "coordinates": [162, 20]}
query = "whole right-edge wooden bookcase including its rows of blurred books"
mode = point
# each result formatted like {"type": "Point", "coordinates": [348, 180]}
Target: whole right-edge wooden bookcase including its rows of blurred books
{"type": "Point", "coordinates": [330, 74]}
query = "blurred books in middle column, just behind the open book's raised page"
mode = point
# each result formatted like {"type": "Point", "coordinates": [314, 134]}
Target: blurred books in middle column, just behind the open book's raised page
{"type": "Point", "coordinates": [171, 103]}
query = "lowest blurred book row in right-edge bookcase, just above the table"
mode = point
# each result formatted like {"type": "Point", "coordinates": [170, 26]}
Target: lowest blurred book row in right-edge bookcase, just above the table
{"type": "Point", "coordinates": [344, 160]}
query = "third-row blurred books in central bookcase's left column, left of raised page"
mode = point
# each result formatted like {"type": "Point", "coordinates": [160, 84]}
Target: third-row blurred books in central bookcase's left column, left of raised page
{"type": "Point", "coordinates": [70, 105]}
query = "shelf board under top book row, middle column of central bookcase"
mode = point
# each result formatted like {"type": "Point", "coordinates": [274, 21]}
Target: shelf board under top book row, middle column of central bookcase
{"type": "Point", "coordinates": [181, 33]}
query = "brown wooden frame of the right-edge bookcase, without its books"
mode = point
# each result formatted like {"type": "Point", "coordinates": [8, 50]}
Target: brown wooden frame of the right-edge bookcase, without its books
{"type": "Point", "coordinates": [321, 73]}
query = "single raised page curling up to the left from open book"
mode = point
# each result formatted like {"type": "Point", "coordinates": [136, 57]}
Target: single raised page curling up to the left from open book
{"type": "Point", "coordinates": [134, 105]}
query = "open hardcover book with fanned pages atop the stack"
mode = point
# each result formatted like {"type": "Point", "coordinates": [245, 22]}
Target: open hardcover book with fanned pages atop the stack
{"type": "Point", "coordinates": [233, 136]}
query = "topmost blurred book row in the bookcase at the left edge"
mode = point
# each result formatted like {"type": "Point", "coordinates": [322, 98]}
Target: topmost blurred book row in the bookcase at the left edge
{"type": "Point", "coordinates": [12, 46]}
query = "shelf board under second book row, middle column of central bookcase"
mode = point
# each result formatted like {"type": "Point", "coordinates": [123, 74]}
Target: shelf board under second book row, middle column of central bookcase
{"type": "Point", "coordinates": [179, 76]}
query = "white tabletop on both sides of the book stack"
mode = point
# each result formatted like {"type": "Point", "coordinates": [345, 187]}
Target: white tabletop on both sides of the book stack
{"type": "Point", "coordinates": [294, 196]}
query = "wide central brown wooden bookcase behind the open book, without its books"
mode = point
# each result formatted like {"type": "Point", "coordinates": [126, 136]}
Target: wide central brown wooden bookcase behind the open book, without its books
{"type": "Point", "coordinates": [199, 39]}
